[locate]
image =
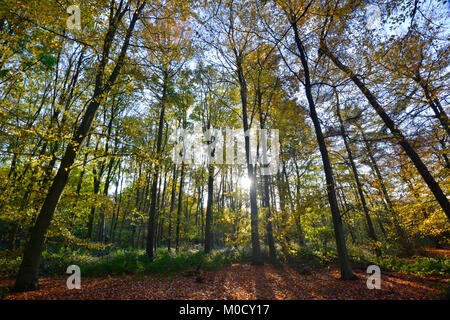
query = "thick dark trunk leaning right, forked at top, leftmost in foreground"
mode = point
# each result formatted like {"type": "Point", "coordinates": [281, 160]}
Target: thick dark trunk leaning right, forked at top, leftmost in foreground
{"type": "Point", "coordinates": [27, 277]}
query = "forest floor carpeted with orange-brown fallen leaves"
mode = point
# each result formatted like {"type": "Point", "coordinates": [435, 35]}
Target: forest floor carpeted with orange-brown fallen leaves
{"type": "Point", "coordinates": [242, 281]}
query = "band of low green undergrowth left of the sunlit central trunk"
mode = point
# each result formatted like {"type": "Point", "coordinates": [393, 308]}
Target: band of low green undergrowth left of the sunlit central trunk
{"type": "Point", "coordinates": [119, 261]}
